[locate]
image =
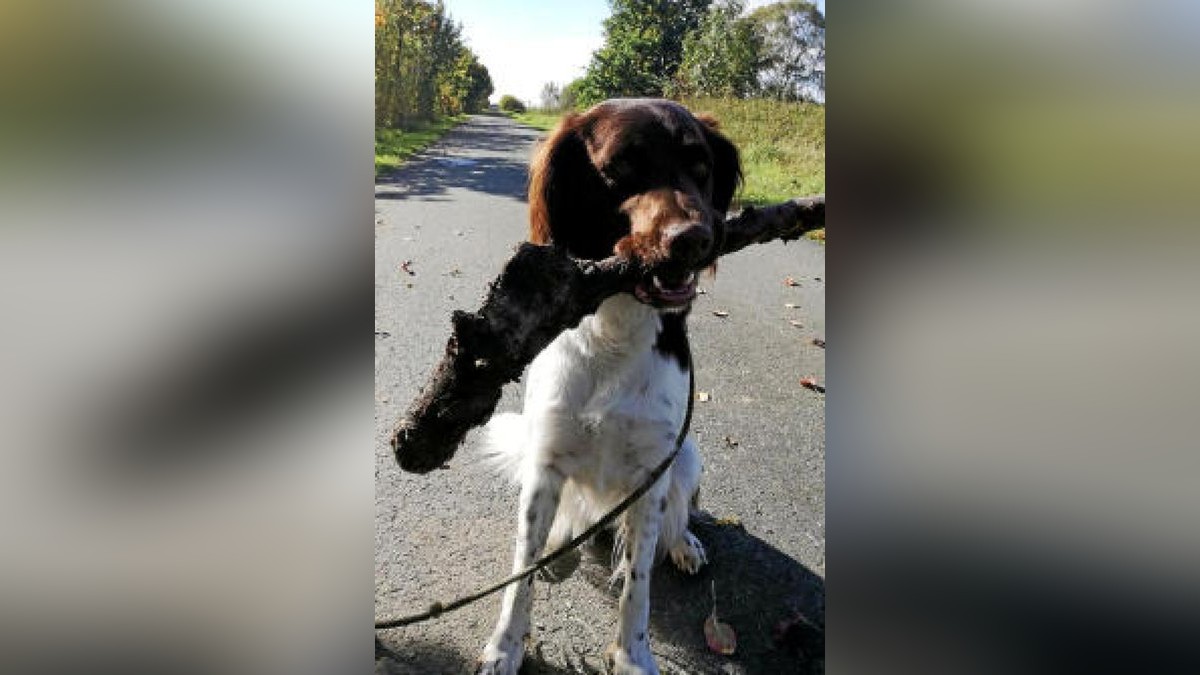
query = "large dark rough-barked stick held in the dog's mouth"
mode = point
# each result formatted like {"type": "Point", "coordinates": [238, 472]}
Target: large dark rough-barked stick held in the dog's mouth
{"type": "Point", "coordinates": [541, 294]}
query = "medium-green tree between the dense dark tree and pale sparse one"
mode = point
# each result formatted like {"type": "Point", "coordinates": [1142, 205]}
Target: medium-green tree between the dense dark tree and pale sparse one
{"type": "Point", "coordinates": [722, 57]}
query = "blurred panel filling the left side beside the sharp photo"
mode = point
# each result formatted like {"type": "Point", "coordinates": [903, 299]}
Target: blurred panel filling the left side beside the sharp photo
{"type": "Point", "coordinates": [185, 380]}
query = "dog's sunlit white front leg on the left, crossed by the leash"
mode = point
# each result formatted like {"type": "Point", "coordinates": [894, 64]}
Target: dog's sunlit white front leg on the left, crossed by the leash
{"type": "Point", "coordinates": [539, 503]}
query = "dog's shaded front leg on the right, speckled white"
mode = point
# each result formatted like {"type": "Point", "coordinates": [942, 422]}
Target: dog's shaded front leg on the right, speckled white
{"type": "Point", "coordinates": [632, 653]}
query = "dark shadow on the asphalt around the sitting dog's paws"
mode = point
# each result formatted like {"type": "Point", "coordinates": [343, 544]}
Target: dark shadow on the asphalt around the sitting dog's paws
{"type": "Point", "coordinates": [758, 589]}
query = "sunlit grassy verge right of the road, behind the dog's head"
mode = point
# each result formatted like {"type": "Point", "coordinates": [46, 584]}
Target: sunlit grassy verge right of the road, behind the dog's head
{"type": "Point", "coordinates": [782, 145]}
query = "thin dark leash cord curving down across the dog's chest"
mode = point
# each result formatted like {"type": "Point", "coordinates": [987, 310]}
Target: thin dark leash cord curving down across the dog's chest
{"type": "Point", "coordinates": [439, 610]}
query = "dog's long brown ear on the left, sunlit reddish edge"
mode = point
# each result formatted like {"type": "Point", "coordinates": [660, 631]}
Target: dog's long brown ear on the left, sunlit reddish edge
{"type": "Point", "coordinates": [569, 202]}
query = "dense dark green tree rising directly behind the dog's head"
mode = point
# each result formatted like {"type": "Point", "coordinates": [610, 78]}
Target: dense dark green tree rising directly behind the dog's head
{"type": "Point", "coordinates": [643, 50]}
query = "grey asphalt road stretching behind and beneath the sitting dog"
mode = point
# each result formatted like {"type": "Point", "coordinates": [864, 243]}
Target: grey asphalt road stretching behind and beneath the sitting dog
{"type": "Point", "coordinates": [445, 225]}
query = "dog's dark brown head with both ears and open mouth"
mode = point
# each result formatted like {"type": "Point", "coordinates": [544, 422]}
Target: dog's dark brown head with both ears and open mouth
{"type": "Point", "coordinates": [637, 177]}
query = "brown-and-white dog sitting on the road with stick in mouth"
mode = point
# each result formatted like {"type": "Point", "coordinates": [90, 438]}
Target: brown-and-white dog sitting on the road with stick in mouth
{"type": "Point", "coordinates": [605, 402]}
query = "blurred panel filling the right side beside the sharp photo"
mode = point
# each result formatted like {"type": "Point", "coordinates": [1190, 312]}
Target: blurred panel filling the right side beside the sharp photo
{"type": "Point", "coordinates": [1012, 439]}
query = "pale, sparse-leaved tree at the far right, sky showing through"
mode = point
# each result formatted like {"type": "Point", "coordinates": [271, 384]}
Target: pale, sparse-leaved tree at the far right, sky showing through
{"type": "Point", "coordinates": [794, 51]}
